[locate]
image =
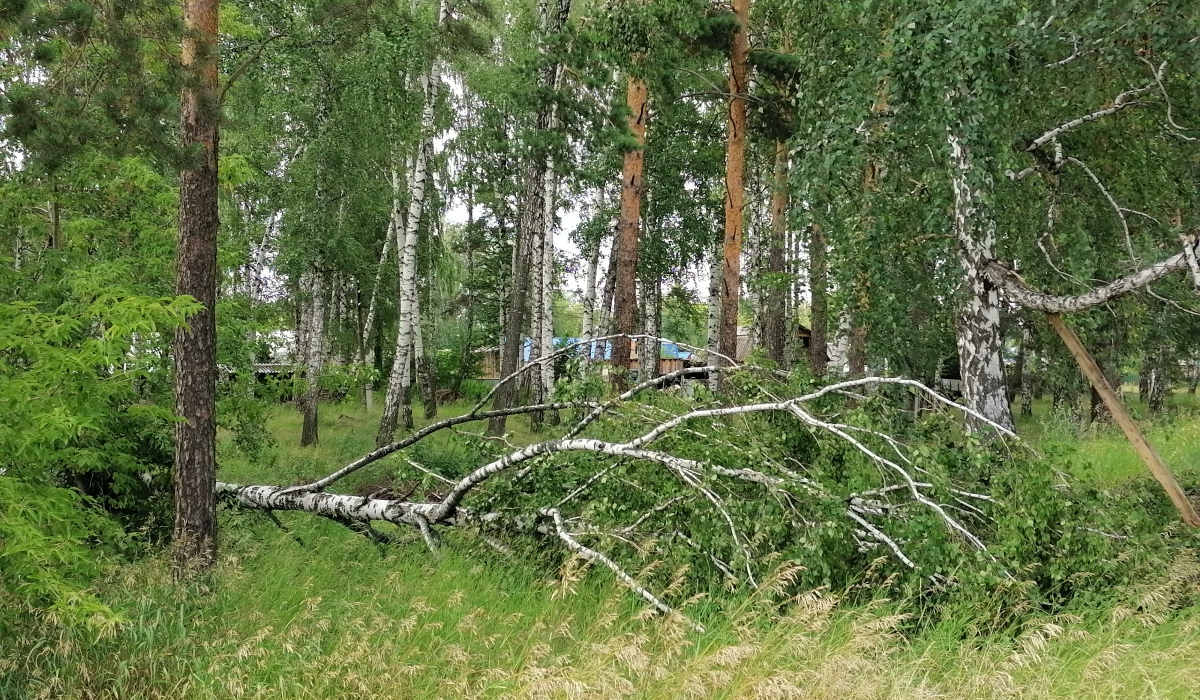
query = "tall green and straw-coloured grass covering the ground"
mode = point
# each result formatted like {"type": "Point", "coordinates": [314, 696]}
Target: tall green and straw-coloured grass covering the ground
{"type": "Point", "coordinates": [320, 613]}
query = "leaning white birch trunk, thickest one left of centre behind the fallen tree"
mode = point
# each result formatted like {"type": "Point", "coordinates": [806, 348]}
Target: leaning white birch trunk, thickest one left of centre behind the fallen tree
{"type": "Point", "coordinates": [401, 380]}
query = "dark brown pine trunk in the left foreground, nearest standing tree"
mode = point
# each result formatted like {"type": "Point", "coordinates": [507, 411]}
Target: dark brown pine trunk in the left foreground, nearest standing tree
{"type": "Point", "coordinates": [196, 274]}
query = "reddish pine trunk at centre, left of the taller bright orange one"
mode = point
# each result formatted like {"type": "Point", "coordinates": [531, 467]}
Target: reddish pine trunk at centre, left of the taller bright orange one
{"type": "Point", "coordinates": [628, 226]}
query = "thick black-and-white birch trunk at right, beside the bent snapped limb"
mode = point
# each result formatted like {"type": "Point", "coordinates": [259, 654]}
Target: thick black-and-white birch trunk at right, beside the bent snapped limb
{"type": "Point", "coordinates": [979, 319]}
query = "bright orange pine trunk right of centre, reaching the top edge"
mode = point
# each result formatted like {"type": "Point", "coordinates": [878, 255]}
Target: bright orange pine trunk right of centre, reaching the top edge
{"type": "Point", "coordinates": [735, 187]}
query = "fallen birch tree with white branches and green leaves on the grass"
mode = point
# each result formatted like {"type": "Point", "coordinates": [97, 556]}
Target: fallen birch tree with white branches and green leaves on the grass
{"type": "Point", "coordinates": [717, 495]}
